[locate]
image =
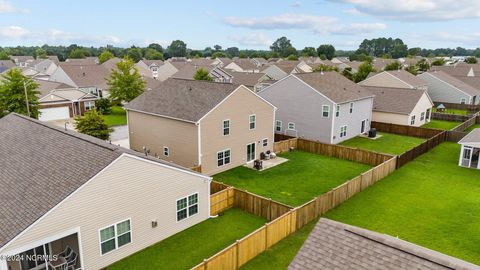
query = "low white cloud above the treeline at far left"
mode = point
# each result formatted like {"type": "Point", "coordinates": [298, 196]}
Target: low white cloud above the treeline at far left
{"type": "Point", "coordinates": [8, 33]}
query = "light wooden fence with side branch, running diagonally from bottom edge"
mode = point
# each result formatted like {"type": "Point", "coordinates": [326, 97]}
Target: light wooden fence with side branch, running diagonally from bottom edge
{"type": "Point", "coordinates": [291, 220]}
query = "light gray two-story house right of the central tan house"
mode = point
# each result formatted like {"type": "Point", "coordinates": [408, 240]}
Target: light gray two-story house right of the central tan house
{"type": "Point", "coordinates": [325, 107]}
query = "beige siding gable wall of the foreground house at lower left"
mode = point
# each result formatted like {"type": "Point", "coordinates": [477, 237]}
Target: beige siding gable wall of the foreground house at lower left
{"type": "Point", "coordinates": [129, 189]}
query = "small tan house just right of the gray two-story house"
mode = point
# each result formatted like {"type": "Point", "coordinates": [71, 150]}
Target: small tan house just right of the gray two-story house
{"type": "Point", "coordinates": [401, 106]}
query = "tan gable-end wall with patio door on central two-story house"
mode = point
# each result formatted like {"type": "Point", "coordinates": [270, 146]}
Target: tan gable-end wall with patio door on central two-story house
{"type": "Point", "coordinates": [237, 108]}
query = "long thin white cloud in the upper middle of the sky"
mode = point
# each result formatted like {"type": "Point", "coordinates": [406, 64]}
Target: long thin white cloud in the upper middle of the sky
{"type": "Point", "coordinates": [317, 24]}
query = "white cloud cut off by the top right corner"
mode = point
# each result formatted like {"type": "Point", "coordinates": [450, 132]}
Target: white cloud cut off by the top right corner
{"type": "Point", "coordinates": [418, 10]}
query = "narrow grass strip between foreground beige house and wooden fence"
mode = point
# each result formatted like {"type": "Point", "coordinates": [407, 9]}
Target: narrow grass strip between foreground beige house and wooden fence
{"type": "Point", "coordinates": [189, 247]}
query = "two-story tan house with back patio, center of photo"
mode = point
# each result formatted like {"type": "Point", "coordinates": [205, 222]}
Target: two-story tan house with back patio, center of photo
{"type": "Point", "coordinates": [217, 126]}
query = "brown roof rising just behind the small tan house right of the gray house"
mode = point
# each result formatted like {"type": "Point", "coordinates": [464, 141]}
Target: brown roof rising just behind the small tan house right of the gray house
{"type": "Point", "coordinates": [396, 79]}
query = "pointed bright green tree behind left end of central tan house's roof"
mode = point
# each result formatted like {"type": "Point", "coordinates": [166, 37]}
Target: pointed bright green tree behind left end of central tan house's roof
{"type": "Point", "coordinates": [125, 83]}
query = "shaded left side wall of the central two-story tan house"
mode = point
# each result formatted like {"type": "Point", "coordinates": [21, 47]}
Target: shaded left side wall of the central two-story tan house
{"type": "Point", "coordinates": [155, 132]}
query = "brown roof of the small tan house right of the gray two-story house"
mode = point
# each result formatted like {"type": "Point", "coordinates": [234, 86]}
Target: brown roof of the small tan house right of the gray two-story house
{"type": "Point", "coordinates": [395, 100]}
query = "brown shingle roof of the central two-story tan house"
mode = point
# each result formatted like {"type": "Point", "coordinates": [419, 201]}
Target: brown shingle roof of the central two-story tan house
{"type": "Point", "coordinates": [187, 100]}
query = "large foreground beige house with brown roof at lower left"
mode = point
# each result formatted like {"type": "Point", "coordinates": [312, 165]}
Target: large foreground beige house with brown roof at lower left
{"type": "Point", "coordinates": [85, 202]}
